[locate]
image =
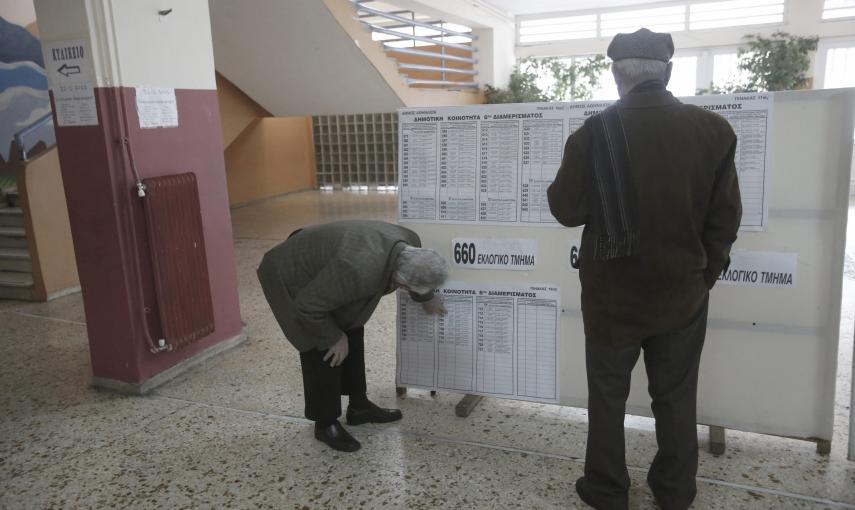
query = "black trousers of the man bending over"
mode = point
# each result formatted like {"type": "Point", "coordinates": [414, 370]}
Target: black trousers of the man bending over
{"type": "Point", "coordinates": [324, 385]}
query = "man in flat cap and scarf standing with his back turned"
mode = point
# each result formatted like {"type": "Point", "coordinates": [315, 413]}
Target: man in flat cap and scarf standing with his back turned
{"type": "Point", "coordinates": [654, 183]}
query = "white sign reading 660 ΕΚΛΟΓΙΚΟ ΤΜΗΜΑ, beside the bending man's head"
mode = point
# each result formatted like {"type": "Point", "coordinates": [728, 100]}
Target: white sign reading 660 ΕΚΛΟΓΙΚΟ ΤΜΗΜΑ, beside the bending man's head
{"type": "Point", "coordinates": [504, 254]}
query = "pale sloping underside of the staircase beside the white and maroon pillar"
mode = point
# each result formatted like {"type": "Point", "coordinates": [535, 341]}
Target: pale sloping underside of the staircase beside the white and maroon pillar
{"type": "Point", "coordinates": [294, 58]}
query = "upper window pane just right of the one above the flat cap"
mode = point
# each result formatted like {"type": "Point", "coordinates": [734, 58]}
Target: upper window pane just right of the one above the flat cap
{"type": "Point", "coordinates": [735, 13]}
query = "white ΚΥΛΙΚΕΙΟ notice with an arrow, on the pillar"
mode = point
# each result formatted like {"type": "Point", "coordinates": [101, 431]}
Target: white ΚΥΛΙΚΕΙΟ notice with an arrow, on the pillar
{"type": "Point", "coordinates": [69, 67]}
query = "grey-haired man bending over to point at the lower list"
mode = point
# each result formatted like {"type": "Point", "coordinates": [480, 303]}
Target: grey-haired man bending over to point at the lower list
{"type": "Point", "coordinates": [323, 283]}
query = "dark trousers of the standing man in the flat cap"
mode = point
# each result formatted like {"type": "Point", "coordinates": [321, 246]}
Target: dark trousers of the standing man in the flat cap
{"type": "Point", "coordinates": [672, 362]}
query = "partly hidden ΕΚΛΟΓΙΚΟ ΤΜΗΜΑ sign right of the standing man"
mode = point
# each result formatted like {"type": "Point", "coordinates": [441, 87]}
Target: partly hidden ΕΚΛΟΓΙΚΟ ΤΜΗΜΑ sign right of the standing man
{"type": "Point", "coordinates": [761, 269]}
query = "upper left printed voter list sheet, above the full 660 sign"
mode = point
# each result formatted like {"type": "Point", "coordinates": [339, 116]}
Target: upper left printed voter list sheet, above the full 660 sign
{"type": "Point", "coordinates": [480, 164]}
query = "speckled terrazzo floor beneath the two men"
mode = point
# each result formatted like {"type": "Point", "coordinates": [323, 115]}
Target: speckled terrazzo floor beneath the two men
{"type": "Point", "coordinates": [230, 433]}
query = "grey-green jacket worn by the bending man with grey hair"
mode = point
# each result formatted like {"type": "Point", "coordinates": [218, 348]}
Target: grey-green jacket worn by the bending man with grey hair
{"type": "Point", "coordinates": [326, 279]}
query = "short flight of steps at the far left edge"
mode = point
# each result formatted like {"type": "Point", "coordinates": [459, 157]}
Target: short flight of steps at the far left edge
{"type": "Point", "coordinates": [16, 278]}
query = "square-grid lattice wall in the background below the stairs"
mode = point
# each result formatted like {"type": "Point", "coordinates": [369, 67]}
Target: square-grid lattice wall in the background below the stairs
{"type": "Point", "coordinates": [356, 151]}
